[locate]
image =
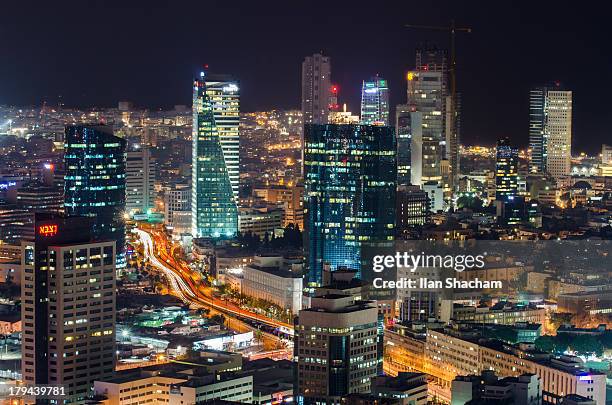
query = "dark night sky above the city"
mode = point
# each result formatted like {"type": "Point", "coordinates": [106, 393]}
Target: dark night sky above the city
{"type": "Point", "coordinates": [98, 52]}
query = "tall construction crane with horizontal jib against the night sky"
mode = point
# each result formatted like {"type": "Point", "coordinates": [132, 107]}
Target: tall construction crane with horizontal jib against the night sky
{"type": "Point", "coordinates": [452, 29]}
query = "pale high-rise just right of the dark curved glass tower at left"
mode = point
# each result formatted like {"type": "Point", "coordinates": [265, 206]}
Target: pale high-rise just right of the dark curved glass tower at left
{"type": "Point", "coordinates": [140, 180]}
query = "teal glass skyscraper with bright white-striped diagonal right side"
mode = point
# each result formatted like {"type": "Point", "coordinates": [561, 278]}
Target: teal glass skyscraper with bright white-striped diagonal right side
{"type": "Point", "coordinates": [215, 167]}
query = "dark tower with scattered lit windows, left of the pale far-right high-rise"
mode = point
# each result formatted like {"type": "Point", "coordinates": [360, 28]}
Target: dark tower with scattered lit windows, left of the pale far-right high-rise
{"type": "Point", "coordinates": [506, 170]}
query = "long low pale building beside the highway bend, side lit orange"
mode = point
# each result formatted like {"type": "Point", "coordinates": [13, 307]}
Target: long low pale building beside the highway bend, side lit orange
{"type": "Point", "coordinates": [274, 279]}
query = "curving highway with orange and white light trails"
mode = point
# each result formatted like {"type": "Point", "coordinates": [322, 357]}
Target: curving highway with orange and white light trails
{"type": "Point", "coordinates": [188, 286]}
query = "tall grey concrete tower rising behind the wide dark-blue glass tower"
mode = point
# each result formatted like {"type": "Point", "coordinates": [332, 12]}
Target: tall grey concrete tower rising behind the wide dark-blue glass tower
{"type": "Point", "coordinates": [316, 88]}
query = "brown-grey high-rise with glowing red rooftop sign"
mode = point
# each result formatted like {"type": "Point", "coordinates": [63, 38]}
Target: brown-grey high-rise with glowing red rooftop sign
{"type": "Point", "coordinates": [68, 306]}
